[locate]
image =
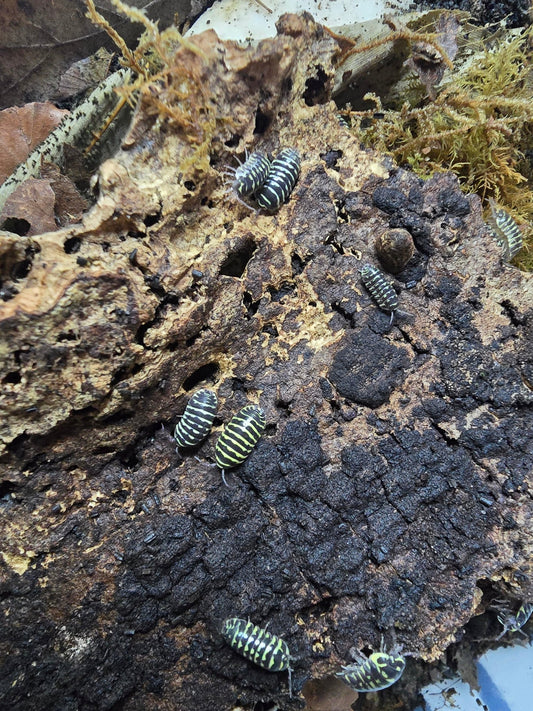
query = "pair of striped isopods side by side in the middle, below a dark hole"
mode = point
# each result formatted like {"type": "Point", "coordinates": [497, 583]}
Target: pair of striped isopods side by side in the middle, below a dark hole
{"type": "Point", "coordinates": [238, 437]}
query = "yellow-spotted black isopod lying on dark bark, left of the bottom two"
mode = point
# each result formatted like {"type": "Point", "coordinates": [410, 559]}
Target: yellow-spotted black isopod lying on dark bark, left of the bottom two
{"type": "Point", "coordinates": [258, 645]}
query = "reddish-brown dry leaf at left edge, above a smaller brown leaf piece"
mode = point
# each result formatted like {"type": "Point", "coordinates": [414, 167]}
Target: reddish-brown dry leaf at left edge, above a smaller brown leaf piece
{"type": "Point", "coordinates": [21, 129]}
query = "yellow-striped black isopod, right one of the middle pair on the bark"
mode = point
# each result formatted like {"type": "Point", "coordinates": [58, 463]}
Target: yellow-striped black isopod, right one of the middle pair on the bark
{"type": "Point", "coordinates": [239, 437]}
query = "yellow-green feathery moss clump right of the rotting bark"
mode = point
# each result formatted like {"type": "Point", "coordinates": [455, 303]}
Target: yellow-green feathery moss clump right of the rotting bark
{"type": "Point", "coordinates": [478, 126]}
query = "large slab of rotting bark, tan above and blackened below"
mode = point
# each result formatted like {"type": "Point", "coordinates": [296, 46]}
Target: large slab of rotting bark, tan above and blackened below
{"type": "Point", "coordinates": [390, 489]}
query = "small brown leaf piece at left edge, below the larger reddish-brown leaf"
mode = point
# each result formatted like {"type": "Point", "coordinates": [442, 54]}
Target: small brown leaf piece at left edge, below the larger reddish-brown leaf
{"type": "Point", "coordinates": [33, 201]}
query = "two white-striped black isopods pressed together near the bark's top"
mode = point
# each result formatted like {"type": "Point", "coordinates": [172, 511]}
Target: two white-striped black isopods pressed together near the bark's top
{"type": "Point", "coordinates": [270, 182]}
